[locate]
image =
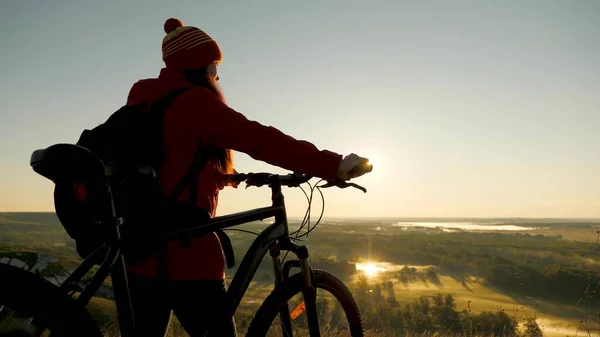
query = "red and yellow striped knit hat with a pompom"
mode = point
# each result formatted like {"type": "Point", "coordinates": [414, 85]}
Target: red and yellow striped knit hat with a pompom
{"type": "Point", "coordinates": [187, 47]}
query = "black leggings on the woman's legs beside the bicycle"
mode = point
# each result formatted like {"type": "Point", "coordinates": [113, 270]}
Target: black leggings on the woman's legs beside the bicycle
{"type": "Point", "coordinates": [198, 304]}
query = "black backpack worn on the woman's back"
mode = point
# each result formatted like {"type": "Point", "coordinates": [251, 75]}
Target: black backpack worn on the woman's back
{"type": "Point", "coordinates": [129, 143]}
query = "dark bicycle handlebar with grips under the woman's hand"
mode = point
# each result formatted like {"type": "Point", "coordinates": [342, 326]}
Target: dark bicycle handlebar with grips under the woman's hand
{"type": "Point", "coordinates": [290, 180]}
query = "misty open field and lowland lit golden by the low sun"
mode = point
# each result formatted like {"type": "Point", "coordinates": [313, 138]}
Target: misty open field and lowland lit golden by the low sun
{"type": "Point", "coordinates": [545, 270]}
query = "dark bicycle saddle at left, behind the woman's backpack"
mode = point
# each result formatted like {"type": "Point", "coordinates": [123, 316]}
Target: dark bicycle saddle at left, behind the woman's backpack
{"type": "Point", "coordinates": [68, 162]}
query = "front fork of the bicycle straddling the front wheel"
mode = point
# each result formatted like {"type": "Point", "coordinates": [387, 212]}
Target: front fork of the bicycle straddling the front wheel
{"type": "Point", "coordinates": [308, 290]}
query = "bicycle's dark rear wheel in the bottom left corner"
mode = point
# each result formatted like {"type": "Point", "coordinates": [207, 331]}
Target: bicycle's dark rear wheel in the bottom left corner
{"type": "Point", "coordinates": [24, 295]}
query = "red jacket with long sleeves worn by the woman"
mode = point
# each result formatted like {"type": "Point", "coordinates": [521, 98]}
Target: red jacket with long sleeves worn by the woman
{"type": "Point", "coordinates": [199, 116]}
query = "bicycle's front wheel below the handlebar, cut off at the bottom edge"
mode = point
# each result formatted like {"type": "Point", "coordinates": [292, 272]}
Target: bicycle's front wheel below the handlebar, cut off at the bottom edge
{"type": "Point", "coordinates": [337, 311]}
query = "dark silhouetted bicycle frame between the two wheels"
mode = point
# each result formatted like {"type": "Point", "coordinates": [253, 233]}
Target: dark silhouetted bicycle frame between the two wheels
{"type": "Point", "coordinates": [274, 238]}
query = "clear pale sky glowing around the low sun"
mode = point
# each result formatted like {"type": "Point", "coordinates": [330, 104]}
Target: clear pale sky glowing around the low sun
{"type": "Point", "coordinates": [467, 108]}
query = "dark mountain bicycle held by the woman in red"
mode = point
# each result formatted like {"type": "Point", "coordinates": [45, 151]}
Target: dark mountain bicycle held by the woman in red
{"type": "Point", "coordinates": [54, 307]}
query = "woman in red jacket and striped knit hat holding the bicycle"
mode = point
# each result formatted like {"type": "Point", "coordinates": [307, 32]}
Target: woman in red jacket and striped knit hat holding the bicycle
{"type": "Point", "coordinates": [196, 287]}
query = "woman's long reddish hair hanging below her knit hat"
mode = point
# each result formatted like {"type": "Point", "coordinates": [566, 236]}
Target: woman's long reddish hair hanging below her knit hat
{"type": "Point", "coordinates": [223, 158]}
